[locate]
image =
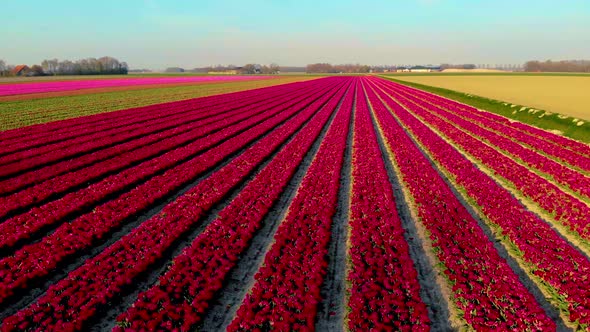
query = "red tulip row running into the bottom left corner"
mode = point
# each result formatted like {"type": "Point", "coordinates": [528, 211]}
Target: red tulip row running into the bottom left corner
{"type": "Point", "coordinates": [75, 299]}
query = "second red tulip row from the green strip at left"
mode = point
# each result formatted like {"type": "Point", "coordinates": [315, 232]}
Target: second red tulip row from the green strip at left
{"type": "Point", "coordinates": [30, 158]}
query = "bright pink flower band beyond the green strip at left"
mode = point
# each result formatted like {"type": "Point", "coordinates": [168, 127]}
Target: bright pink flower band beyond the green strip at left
{"type": "Point", "coordinates": [42, 87]}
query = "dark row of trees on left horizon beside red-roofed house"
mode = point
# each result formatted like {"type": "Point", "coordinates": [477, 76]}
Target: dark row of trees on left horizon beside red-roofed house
{"type": "Point", "coordinates": [90, 66]}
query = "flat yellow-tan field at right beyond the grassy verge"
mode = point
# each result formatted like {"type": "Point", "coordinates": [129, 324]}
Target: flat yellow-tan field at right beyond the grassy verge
{"type": "Point", "coordinates": [568, 95]}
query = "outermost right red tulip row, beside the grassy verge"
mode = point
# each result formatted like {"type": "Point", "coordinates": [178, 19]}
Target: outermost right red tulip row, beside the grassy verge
{"type": "Point", "coordinates": [552, 144]}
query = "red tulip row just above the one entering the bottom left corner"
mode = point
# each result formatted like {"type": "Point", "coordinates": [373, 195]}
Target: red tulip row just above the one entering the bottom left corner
{"type": "Point", "coordinates": [71, 238]}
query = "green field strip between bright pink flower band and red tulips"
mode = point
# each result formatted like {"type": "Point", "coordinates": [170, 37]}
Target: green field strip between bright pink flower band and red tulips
{"type": "Point", "coordinates": [36, 108]}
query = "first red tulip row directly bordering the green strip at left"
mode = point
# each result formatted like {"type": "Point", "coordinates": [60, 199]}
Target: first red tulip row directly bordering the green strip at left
{"type": "Point", "coordinates": [65, 129]}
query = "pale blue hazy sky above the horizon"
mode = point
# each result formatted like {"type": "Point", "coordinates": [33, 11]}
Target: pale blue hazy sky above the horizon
{"type": "Point", "coordinates": [160, 33]}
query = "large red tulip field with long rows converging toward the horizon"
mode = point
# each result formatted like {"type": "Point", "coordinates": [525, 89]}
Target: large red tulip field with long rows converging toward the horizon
{"type": "Point", "coordinates": [333, 204]}
